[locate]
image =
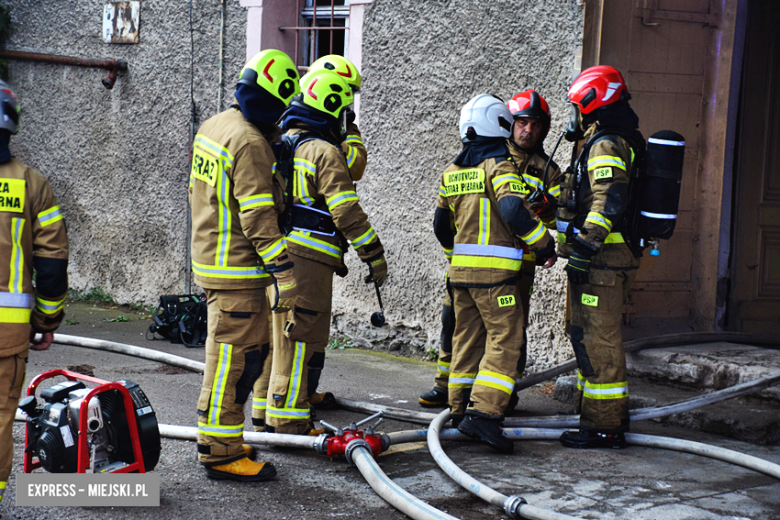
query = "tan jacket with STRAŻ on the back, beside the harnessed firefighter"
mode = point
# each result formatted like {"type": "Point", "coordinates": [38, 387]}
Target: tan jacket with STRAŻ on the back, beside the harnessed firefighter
{"type": "Point", "coordinates": [235, 200]}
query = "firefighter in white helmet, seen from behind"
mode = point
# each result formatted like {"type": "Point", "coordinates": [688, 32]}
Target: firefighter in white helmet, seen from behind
{"type": "Point", "coordinates": [483, 217]}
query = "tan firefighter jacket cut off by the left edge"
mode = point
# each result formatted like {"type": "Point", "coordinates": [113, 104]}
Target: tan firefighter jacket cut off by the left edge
{"type": "Point", "coordinates": [33, 236]}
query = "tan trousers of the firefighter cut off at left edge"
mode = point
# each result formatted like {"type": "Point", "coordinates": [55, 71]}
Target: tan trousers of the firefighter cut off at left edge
{"type": "Point", "coordinates": [12, 373]}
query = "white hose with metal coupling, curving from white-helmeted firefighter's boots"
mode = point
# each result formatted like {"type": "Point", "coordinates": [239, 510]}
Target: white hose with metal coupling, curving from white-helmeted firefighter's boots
{"type": "Point", "coordinates": [514, 506]}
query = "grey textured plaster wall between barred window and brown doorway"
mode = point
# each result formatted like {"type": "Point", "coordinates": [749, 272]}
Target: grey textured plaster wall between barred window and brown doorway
{"type": "Point", "coordinates": [421, 62]}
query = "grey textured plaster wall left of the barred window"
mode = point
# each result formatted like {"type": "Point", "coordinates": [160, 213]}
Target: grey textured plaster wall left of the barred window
{"type": "Point", "coordinates": [118, 159]}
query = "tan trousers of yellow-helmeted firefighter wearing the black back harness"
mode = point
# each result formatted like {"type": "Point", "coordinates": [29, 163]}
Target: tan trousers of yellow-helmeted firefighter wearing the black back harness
{"type": "Point", "coordinates": [300, 338]}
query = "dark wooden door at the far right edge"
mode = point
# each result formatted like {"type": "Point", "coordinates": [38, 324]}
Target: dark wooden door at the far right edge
{"type": "Point", "coordinates": [755, 289]}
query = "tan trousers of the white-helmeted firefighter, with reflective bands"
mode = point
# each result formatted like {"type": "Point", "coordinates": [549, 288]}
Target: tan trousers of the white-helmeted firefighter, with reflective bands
{"type": "Point", "coordinates": [486, 349]}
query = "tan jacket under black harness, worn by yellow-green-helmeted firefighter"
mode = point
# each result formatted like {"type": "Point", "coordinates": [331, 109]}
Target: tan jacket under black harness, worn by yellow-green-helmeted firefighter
{"type": "Point", "coordinates": [322, 182]}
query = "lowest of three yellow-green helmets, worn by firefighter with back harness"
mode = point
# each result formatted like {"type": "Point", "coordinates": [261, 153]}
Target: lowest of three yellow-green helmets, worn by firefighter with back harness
{"type": "Point", "coordinates": [327, 93]}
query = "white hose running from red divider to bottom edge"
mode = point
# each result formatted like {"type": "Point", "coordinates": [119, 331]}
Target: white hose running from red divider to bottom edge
{"type": "Point", "coordinates": [393, 494]}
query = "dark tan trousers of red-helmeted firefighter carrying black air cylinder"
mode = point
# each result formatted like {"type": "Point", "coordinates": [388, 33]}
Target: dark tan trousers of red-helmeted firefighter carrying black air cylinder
{"type": "Point", "coordinates": [597, 339]}
